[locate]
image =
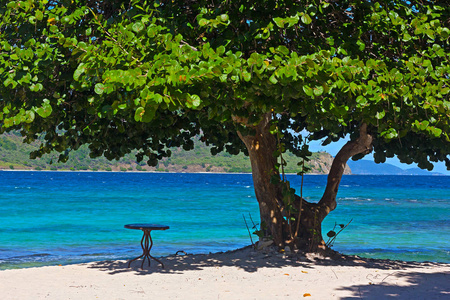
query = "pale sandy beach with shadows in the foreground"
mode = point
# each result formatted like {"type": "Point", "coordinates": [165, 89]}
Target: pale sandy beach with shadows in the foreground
{"type": "Point", "coordinates": [240, 274]}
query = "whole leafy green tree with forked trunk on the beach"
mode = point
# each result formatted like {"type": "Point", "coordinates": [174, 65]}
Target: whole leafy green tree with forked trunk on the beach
{"type": "Point", "coordinates": [145, 76]}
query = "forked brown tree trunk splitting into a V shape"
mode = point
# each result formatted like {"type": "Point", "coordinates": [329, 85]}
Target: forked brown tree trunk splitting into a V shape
{"type": "Point", "coordinates": [307, 235]}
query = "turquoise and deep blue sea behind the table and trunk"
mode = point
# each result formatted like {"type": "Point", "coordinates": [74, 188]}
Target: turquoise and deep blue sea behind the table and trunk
{"type": "Point", "coordinates": [51, 218]}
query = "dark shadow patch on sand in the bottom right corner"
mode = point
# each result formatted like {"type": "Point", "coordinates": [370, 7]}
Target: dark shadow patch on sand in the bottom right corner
{"type": "Point", "coordinates": [402, 285]}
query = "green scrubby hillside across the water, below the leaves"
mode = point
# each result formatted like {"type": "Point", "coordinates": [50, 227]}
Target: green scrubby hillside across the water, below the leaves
{"type": "Point", "coordinates": [15, 155]}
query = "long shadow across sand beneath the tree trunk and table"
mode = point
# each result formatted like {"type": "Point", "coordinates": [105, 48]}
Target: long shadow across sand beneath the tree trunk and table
{"type": "Point", "coordinates": [250, 260]}
